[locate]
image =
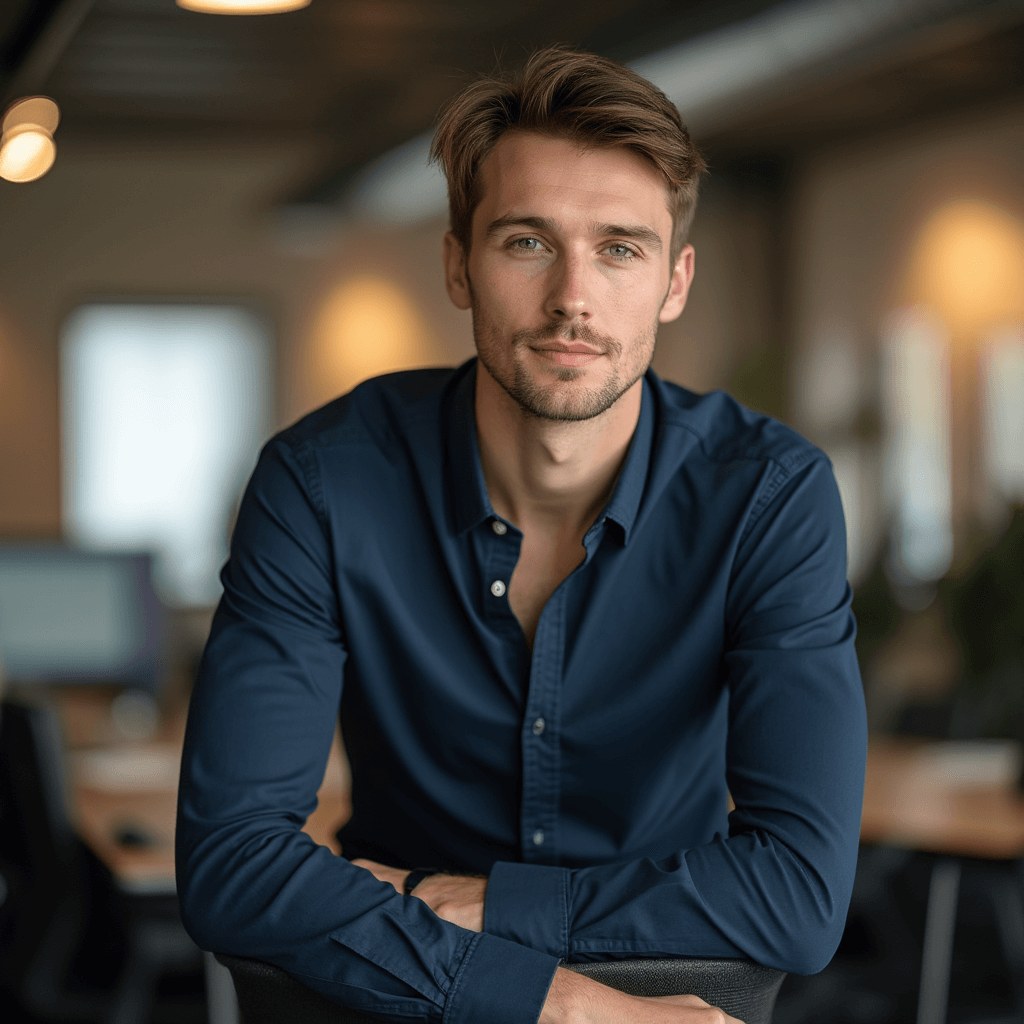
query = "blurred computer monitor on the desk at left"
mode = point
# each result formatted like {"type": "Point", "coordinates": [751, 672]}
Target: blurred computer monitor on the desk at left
{"type": "Point", "coordinates": [78, 617]}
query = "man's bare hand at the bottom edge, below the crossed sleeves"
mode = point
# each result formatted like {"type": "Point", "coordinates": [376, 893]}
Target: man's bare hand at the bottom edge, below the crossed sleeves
{"type": "Point", "coordinates": [574, 999]}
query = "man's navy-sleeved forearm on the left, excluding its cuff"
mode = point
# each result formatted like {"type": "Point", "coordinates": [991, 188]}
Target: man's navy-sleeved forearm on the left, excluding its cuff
{"type": "Point", "coordinates": [269, 892]}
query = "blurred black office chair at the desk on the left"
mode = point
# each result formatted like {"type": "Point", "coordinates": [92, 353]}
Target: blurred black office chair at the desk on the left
{"type": "Point", "coordinates": [63, 890]}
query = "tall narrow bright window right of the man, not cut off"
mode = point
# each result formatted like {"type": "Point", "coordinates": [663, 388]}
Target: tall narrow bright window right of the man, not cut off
{"type": "Point", "coordinates": [918, 461]}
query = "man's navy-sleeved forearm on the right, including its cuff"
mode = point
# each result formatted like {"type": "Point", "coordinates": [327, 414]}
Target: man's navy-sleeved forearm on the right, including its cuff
{"type": "Point", "coordinates": [749, 897]}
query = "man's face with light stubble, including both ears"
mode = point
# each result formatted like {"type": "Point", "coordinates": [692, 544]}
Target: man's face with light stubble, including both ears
{"type": "Point", "coordinates": [569, 273]}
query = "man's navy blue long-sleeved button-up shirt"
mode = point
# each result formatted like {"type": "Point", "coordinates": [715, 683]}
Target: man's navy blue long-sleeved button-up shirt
{"type": "Point", "coordinates": [704, 648]}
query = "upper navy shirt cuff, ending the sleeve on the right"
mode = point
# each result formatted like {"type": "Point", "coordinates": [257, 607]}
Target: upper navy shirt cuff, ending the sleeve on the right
{"type": "Point", "coordinates": [530, 905]}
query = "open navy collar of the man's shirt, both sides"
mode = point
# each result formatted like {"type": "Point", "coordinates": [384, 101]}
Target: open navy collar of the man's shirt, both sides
{"type": "Point", "coordinates": [471, 502]}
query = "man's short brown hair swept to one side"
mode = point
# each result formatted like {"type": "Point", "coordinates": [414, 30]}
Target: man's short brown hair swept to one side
{"type": "Point", "coordinates": [569, 95]}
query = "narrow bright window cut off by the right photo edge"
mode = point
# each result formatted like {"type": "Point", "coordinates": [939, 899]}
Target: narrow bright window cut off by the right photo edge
{"type": "Point", "coordinates": [1004, 377]}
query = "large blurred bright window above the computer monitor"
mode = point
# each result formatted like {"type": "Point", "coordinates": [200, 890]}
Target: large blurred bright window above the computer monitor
{"type": "Point", "coordinates": [164, 410]}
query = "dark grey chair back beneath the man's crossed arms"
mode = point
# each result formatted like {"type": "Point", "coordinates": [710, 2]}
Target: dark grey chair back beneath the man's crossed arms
{"type": "Point", "coordinates": [746, 991]}
